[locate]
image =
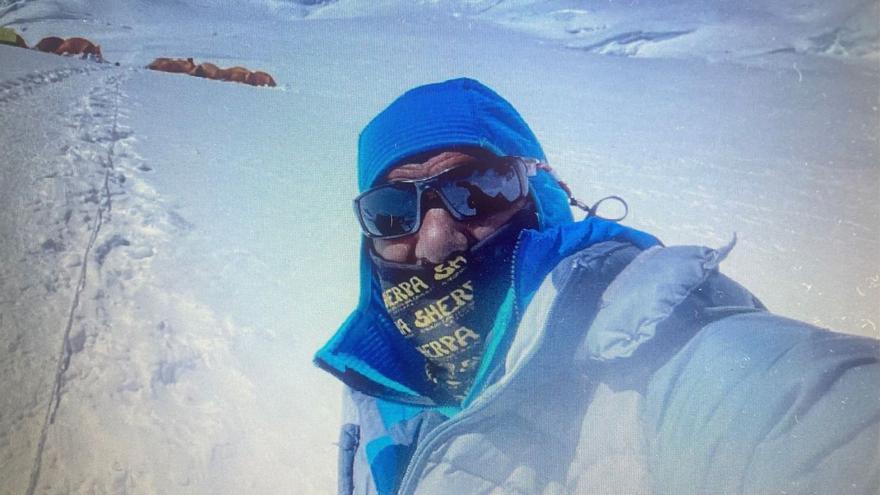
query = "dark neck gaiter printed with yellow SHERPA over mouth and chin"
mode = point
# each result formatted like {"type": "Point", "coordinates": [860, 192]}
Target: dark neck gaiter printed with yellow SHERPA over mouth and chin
{"type": "Point", "coordinates": [446, 311]}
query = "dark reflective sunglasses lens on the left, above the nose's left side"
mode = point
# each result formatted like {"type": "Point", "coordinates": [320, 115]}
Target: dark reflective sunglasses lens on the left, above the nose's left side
{"type": "Point", "coordinates": [389, 211]}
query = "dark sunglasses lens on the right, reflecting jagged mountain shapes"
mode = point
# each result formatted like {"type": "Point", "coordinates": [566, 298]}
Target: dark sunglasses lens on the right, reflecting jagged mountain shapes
{"type": "Point", "coordinates": [482, 190]}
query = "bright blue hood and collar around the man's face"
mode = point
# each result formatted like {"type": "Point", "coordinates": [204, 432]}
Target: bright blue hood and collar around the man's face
{"type": "Point", "coordinates": [365, 353]}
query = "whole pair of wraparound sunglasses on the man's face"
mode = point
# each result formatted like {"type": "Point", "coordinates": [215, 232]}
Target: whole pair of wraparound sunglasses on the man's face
{"type": "Point", "coordinates": [473, 190]}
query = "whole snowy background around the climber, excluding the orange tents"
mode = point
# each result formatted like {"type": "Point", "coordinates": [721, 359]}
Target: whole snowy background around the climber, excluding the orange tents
{"type": "Point", "coordinates": [173, 249]}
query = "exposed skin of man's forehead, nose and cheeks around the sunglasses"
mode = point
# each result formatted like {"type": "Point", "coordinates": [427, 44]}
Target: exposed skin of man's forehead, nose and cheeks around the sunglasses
{"type": "Point", "coordinates": [440, 234]}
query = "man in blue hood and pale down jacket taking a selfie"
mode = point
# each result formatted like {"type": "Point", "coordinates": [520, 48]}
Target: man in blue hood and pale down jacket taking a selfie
{"type": "Point", "coordinates": [500, 346]}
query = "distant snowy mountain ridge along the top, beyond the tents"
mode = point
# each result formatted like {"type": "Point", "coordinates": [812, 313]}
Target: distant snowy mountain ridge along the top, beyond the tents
{"type": "Point", "coordinates": [713, 30]}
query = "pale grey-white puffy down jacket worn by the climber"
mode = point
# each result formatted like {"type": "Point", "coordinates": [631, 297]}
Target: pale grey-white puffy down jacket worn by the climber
{"type": "Point", "coordinates": [639, 373]}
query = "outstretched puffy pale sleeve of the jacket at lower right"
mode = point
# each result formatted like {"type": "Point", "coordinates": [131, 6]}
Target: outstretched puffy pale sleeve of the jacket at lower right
{"type": "Point", "coordinates": [757, 403]}
